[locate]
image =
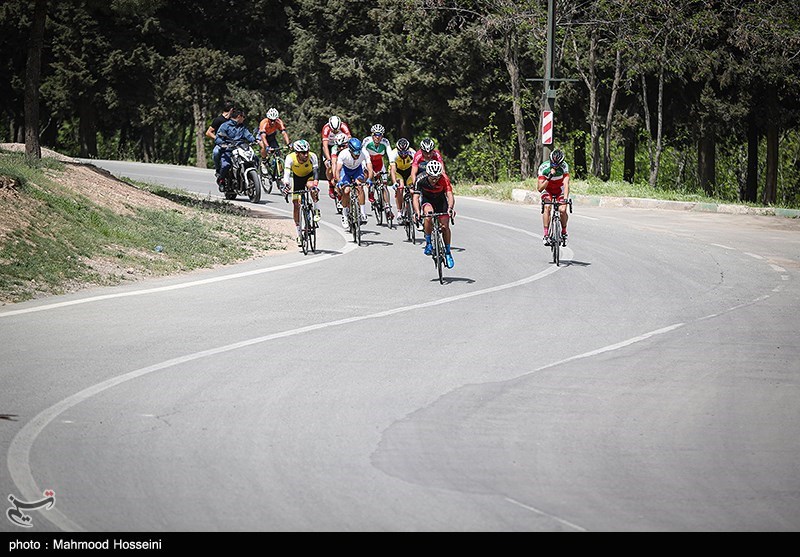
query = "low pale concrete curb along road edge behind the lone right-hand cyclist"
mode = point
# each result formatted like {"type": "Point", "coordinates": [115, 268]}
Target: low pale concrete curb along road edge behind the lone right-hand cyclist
{"type": "Point", "coordinates": [532, 197]}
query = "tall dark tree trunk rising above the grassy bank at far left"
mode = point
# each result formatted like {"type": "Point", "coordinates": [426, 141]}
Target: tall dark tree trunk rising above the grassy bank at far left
{"type": "Point", "coordinates": [33, 74]}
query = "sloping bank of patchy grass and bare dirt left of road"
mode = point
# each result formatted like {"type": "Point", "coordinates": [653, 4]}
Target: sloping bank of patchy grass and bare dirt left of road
{"type": "Point", "coordinates": [55, 240]}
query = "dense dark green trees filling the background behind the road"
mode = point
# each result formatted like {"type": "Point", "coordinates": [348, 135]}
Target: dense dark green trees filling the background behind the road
{"type": "Point", "coordinates": [697, 95]}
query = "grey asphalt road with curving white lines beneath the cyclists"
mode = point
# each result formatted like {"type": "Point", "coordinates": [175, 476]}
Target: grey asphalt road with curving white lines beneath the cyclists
{"type": "Point", "coordinates": [650, 383]}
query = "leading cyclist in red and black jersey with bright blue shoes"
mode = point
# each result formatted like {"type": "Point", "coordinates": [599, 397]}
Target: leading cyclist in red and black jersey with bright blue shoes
{"type": "Point", "coordinates": [433, 193]}
